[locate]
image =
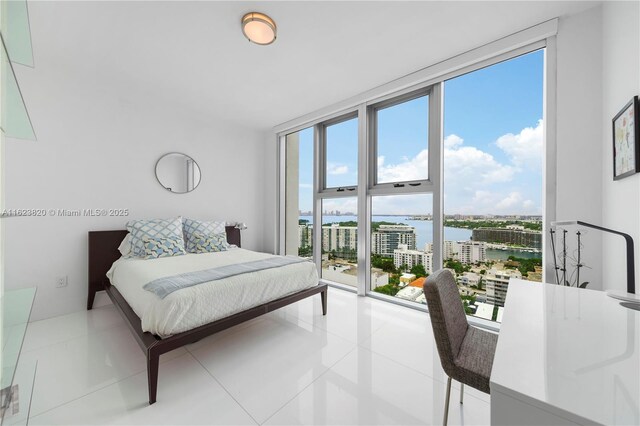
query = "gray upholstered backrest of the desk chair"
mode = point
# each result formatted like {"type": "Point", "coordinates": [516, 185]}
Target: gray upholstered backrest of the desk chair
{"type": "Point", "coordinates": [448, 319]}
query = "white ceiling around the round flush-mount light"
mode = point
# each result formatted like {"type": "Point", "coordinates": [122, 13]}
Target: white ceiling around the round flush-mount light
{"type": "Point", "coordinates": [194, 53]}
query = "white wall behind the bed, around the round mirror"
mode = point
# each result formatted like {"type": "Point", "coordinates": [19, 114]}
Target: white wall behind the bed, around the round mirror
{"type": "Point", "coordinates": [97, 147]}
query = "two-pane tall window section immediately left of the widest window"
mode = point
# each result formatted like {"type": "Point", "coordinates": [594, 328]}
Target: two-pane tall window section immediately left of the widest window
{"type": "Point", "coordinates": [401, 199]}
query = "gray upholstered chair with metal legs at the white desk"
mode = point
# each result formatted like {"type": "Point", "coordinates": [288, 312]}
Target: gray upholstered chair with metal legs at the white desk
{"type": "Point", "coordinates": [466, 353]}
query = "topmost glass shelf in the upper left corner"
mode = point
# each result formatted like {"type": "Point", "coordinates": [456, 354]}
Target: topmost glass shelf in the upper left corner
{"type": "Point", "coordinates": [14, 25]}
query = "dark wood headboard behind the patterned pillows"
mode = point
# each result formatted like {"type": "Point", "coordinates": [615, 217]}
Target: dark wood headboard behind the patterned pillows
{"type": "Point", "coordinates": [103, 251]}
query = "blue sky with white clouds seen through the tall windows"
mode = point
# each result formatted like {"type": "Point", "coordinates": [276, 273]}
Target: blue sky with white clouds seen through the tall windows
{"type": "Point", "coordinates": [492, 145]}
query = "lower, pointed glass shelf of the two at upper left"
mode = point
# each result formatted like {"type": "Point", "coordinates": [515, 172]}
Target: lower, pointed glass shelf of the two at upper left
{"type": "Point", "coordinates": [15, 121]}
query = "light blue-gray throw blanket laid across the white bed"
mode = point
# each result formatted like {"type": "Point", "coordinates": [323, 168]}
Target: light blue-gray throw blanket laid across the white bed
{"type": "Point", "coordinates": [162, 287]}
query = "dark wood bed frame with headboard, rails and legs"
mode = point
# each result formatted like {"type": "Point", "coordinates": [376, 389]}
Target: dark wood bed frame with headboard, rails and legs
{"type": "Point", "coordinates": [103, 251]}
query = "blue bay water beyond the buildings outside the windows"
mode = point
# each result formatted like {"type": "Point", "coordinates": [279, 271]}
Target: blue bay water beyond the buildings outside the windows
{"type": "Point", "coordinates": [424, 233]}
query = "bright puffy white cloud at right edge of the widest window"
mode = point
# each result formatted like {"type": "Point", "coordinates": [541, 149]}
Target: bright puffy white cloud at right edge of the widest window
{"type": "Point", "coordinates": [525, 148]}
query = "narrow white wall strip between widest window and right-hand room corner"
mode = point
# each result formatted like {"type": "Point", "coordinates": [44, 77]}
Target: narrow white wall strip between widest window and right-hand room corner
{"type": "Point", "coordinates": [578, 135]}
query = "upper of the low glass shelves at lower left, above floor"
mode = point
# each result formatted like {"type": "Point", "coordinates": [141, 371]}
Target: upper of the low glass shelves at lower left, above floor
{"type": "Point", "coordinates": [16, 309]}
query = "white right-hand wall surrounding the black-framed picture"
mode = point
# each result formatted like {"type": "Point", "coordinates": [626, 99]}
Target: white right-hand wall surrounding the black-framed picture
{"type": "Point", "coordinates": [621, 81]}
